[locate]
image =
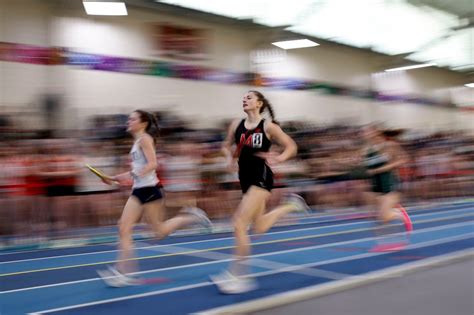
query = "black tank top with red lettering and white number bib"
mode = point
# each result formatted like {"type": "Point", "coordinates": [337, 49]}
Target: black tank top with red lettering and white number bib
{"type": "Point", "coordinates": [249, 142]}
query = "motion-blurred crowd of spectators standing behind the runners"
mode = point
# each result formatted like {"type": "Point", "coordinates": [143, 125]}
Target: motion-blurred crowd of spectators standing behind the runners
{"type": "Point", "coordinates": [45, 187]}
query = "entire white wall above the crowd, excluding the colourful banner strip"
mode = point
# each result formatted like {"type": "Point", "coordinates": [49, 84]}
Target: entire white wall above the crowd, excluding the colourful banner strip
{"type": "Point", "coordinates": [88, 92]}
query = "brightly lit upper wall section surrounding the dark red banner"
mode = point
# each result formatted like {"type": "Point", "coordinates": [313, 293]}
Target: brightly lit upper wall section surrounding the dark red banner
{"type": "Point", "coordinates": [131, 36]}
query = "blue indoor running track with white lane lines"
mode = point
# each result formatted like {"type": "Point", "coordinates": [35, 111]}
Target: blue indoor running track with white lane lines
{"type": "Point", "coordinates": [312, 253]}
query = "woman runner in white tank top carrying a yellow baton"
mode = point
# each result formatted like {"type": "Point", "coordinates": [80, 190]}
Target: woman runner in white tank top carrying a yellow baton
{"type": "Point", "coordinates": [146, 197]}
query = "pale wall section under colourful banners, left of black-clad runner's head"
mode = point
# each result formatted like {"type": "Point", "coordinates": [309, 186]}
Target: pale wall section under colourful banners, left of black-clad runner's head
{"type": "Point", "coordinates": [97, 92]}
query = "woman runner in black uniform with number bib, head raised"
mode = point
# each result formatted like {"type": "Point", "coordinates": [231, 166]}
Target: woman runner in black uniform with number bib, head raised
{"type": "Point", "coordinates": [253, 137]}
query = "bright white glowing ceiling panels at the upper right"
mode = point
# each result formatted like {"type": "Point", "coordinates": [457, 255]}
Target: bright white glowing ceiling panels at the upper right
{"type": "Point", "coordinates": [437, 31]}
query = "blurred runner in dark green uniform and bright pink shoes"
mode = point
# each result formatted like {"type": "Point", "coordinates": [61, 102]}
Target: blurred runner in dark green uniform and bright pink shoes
{"type": "Point", "coordinates": [382, 158]}
